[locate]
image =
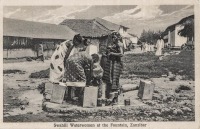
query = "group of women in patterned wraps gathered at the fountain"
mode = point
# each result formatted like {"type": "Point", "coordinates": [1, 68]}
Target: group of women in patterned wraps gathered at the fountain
{"type": "Point", "coordinates": [71, 63]}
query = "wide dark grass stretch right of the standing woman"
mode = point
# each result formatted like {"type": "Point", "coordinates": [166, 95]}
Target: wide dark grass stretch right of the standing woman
{"type": "Point", "coordinates": [147, 64]}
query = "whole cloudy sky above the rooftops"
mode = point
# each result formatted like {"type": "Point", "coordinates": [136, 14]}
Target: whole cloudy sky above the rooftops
{"type": "Point", "coordinates": [136, 17]}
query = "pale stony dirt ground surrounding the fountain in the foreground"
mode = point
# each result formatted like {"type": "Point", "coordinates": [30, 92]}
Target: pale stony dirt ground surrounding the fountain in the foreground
{"type": "Point", "coordinates": [172, 100]}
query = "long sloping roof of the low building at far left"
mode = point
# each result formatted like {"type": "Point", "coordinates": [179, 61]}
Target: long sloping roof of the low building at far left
{"type": "Point", "coordinates": [21, 28]}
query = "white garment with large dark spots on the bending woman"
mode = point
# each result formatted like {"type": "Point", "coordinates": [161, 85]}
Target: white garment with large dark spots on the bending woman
{"type": "Point", "coordinates": [57, 62]}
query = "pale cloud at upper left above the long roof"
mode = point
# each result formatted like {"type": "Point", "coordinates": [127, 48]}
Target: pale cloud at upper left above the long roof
{"type": "Point", "coordinates": [48, 14]}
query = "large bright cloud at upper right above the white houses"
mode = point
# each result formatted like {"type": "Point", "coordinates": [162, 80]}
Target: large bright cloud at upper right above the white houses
{"type": "Point", "coordinates": [150, 17]}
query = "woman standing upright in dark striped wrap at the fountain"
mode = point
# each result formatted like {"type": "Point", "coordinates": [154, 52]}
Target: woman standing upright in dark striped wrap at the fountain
{"type": "Point", "coordinates": [114, 65]}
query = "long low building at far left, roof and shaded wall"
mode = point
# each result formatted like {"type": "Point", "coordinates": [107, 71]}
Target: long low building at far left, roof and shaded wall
{"type": "Point", "coordinates": [22, 38]}
